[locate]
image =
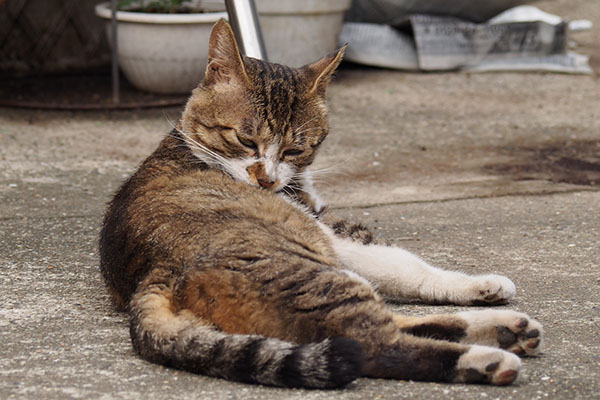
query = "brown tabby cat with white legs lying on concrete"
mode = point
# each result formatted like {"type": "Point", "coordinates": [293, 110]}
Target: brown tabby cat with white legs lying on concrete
{"type": "Point", "coordinates": [217, 250]}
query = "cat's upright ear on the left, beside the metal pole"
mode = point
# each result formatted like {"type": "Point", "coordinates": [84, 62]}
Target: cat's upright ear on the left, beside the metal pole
{"type": "Point", "coordinates": [225, 64]}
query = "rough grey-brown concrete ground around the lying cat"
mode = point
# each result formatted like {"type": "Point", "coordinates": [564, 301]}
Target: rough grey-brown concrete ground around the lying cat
{"type": "Point", "coordinates": [483, 173]}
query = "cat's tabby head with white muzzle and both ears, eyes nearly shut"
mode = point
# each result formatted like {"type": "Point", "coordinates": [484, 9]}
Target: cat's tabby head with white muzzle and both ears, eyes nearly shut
{"type": "Point", "coordinates": [259, 122]}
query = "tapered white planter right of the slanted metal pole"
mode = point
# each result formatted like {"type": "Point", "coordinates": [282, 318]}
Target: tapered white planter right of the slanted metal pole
{"type": "Point", "coordinates": [298, 32]}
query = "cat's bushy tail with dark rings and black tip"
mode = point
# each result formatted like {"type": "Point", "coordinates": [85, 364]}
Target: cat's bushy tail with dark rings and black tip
{"type": "Point", "coordinates": [181, 340]}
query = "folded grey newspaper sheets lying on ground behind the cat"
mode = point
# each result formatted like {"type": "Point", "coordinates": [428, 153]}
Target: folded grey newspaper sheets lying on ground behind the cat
{"type": "Point", "coordinates": [522, 38]}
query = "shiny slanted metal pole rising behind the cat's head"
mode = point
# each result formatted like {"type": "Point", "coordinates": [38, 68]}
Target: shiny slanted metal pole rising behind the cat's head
{"type": "Point", "coordinates": [244, 21]}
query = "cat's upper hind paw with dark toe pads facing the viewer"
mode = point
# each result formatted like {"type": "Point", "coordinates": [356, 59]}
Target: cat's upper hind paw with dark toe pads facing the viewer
{"type": "Point", "coordinates": [522, 336]}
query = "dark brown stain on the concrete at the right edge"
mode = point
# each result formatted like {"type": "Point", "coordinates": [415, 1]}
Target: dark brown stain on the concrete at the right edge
{"type": "Point", "coordinates": [575, 162]}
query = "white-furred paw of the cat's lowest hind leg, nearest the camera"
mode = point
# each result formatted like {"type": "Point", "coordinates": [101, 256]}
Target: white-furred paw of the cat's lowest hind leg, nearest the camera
{"type": "Point", "coordinates": [481, 364]}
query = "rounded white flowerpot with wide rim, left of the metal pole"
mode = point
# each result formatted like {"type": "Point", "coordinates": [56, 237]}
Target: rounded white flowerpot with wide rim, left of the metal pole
{"type": "Point", "coordinates": [163, 44]}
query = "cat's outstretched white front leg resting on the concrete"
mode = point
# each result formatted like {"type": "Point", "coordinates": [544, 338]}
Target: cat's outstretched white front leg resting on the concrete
{"type": "Point", "coordinates": [399, 274]}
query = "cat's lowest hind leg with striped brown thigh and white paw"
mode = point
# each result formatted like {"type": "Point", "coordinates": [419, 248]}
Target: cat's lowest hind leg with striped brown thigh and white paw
{"type": "Point", "coordinates": [333, 304]}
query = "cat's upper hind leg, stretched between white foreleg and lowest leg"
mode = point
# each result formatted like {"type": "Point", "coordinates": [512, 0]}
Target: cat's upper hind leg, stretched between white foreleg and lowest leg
{"type": "Point", "coordinates": [510, 330]}
